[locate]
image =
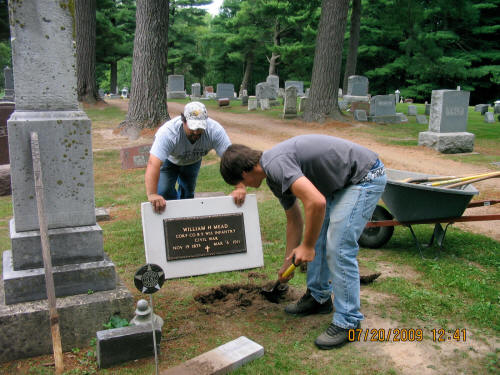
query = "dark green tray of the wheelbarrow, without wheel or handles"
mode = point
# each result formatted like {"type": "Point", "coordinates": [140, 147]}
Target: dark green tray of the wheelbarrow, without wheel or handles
{"type": "Point", "coordinates": [415, 202]}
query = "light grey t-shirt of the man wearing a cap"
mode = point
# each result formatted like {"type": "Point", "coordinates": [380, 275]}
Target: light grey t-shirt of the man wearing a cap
{"type": "Point", "coordinates": [172, 143]}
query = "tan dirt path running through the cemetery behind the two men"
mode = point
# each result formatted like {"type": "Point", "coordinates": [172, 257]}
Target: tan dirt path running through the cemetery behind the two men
{"type": "Point", "coordinates": [262, 133]}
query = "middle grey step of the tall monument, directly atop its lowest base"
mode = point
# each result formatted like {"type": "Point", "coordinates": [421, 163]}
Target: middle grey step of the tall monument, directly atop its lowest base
{"type": "Point", "coordinates": [70, 279]}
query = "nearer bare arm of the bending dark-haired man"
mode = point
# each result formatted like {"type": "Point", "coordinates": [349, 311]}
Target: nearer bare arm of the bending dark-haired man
{"type": "Point", "coordinates": [314, 210]}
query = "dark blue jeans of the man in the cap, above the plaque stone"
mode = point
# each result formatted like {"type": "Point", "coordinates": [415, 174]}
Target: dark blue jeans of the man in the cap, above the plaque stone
{"type": "Point", "coordinates": [171, 173]}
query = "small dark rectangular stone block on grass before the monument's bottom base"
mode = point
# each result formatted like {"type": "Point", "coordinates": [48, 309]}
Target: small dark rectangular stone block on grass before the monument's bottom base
{"type": "Point", "coordinates": [118, 345]}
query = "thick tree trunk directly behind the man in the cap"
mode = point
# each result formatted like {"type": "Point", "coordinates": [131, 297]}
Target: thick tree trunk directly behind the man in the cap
{"type": "Point", "coordinates": [148, 106]}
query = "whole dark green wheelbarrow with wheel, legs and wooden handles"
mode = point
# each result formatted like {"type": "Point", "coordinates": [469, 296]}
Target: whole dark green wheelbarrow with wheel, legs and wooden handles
{"type": "Point", "coordinates": [410, 204]}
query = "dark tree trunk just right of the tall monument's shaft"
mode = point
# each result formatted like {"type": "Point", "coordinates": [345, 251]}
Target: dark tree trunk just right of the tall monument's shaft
{"type": "Point", "coordinates": [85, 24]}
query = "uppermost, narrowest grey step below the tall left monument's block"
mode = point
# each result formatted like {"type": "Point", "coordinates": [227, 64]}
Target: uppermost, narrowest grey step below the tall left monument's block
{"type": "Point", "coordinates": [67, 245]}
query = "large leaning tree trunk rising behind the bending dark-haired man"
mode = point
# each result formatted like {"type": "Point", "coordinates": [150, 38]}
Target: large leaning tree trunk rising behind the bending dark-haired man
{"type": "Point", "coordinates": [327, 62]}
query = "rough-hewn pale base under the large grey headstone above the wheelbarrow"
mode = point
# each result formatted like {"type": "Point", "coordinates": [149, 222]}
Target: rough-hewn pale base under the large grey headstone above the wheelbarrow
{"type": "Point", "coordinates": [447, 143]}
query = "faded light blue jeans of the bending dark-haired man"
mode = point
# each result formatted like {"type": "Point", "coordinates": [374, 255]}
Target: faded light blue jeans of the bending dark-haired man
{"type": "Point", "coordinates": [335, 267]}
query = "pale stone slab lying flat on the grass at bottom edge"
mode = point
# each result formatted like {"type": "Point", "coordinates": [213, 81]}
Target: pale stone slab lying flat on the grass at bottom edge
{"type": "Point", "coordinates": [221, 360]}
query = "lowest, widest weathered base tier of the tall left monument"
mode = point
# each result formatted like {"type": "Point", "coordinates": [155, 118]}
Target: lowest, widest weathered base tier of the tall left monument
{"type": "Point", "coordinates": [26, 330]}
